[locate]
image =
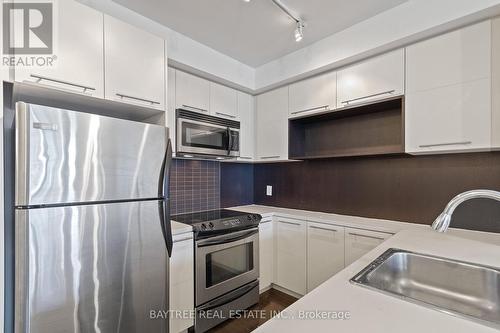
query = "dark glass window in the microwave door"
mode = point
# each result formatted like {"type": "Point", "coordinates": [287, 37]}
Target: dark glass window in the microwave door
{"type": "Point", "coordinates": [203, 136]}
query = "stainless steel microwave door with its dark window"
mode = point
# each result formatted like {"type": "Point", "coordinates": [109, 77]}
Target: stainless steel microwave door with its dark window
{"type": "Point", "coordinates": [197, 137]}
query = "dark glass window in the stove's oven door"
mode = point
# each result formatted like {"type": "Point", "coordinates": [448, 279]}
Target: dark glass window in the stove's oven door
{"type": "Point", "coordinates": [225, 264]}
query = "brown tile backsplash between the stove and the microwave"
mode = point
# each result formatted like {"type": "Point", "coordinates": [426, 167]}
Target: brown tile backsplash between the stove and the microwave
{"type": "Point", "coordinates": [194, 186]}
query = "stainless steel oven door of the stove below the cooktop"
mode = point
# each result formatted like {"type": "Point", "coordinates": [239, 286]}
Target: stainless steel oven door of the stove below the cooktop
{"type": "Point", "coordinates": [226, 262]}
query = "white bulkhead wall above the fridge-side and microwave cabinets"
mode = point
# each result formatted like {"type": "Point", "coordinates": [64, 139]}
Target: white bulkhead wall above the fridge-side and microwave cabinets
{"type": "Point", "coordinates": [184, 52]}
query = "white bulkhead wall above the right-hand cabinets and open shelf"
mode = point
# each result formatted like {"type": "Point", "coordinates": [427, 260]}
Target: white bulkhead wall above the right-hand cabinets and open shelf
{"type": "Point", "coordinates": [399, 26]}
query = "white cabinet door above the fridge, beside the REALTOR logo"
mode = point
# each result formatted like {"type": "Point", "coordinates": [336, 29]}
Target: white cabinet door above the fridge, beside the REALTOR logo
{"type": "Point", "coordinates": [79, 51]}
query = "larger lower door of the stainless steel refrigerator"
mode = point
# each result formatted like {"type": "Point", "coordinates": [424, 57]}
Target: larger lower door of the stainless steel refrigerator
{"type": "Point", "coordinates": [96, 268]}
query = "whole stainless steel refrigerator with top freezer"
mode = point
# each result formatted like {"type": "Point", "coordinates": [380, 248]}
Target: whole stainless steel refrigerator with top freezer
{"type": "Point", "coordinates": [92, 224]}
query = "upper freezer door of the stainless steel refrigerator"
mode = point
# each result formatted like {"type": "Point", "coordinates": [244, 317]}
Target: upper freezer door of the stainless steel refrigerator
{"type": "Point", "coordinates": [69, 157]}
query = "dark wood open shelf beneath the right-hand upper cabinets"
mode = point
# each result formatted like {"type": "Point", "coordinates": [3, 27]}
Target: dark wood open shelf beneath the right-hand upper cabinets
{"type": "Point", "coordinates": [364, 130]}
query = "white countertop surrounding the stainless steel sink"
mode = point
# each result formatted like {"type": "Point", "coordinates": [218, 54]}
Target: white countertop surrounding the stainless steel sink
{"type": "Point", "coordinates": [375, 312]}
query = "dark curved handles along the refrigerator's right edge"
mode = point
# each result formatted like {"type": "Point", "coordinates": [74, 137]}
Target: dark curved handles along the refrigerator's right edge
{"type": "Point", "coordinates": [163, 192]}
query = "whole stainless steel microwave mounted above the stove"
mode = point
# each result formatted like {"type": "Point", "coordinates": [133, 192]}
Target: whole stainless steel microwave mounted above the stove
{"type": "Point", "coordinates": [207, 136]}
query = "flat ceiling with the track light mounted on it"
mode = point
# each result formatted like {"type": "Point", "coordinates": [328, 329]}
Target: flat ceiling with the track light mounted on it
{"type": "Point", "coordinates": [256, 32]}
